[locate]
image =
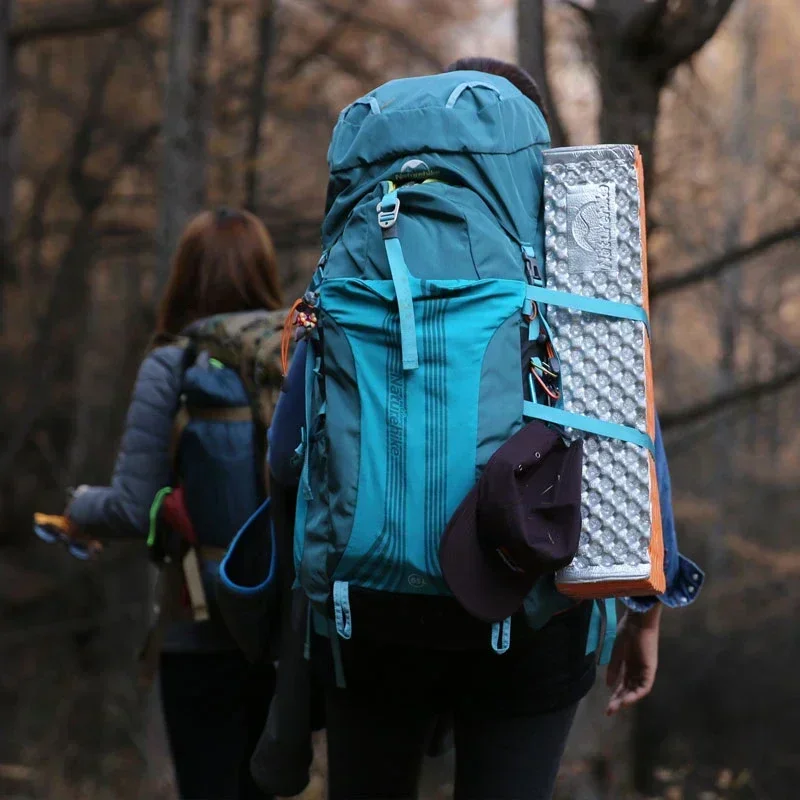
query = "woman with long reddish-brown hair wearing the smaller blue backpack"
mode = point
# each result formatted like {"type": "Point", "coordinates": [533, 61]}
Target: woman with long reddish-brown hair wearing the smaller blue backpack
{"type": "Point", "coordinates": [189, 473]}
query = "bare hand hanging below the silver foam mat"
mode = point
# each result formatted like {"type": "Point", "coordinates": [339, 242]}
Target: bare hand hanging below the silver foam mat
{"type": "Point", "coordinates": [634, 659]}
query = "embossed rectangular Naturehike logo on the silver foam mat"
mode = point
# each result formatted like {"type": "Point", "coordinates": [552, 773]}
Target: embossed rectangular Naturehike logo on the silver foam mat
{"type": "Point", "coordinates": [592, 223]}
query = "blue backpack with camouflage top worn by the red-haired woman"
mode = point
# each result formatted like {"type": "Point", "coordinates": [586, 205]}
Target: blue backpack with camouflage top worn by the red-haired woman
{"type": "Point", "coordinates": [230, 383]}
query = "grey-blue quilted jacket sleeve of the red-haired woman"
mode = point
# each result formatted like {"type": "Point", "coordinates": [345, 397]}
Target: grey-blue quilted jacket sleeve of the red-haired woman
{"type": "Point", "coordinates": [143, 463]}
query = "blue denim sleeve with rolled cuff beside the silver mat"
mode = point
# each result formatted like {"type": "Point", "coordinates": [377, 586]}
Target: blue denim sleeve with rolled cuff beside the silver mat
{"type": "Point", "coordinates": [684, 577]}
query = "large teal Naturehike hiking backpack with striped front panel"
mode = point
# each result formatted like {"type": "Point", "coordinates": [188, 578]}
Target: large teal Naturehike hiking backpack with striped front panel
{"type": "Point", "coordinates": [418, 341]}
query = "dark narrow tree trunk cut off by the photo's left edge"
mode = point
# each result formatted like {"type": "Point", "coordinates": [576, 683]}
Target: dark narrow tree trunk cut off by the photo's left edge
{"type": "Point", "coordinates": [8, 126]}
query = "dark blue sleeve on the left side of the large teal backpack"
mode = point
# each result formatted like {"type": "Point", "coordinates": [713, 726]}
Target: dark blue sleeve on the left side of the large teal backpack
{"type": "Point", "coordinates": [287, 423]}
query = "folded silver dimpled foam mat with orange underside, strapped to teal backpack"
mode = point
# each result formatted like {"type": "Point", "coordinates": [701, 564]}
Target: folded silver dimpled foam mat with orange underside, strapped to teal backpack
{"type": "Point", "coordinates": [595, 246]}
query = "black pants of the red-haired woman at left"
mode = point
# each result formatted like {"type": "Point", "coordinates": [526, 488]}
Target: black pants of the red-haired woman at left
{"type": "Point", "coordinates": [215, 706]}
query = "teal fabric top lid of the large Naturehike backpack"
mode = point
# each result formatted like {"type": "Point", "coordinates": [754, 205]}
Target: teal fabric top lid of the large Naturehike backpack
{"type": "Point", "coordinates": [477, 129]}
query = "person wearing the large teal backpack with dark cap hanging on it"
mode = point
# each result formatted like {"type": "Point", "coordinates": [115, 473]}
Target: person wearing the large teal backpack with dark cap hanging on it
{"type": "Point", "coordinates": [404, 389]}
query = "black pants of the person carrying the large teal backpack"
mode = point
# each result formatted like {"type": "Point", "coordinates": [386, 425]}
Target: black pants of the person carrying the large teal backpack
{"type": "Point", "coordinates": [512, 713]}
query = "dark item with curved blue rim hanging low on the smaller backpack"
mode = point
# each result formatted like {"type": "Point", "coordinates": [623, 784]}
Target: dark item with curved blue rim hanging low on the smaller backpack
{"type": "Point", "coordinates": [247, 587]}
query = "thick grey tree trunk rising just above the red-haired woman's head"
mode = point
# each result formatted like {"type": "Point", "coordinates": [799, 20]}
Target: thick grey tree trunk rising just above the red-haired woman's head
{"type": "Point", "coordinates": [185, 117]}
